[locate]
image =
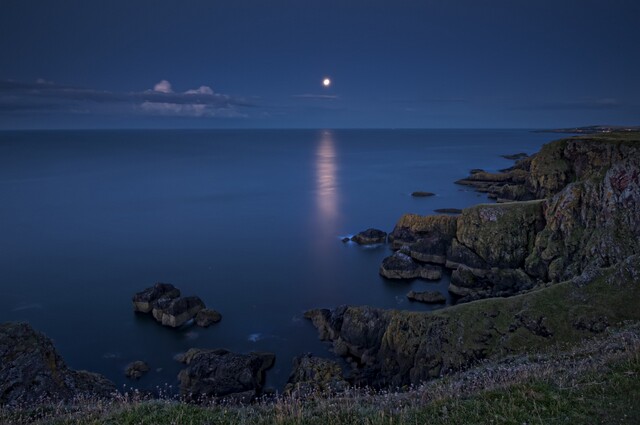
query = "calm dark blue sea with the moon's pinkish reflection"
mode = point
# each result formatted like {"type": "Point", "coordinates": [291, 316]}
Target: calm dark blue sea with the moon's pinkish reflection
{"type": "Point", "coordinates": [250, 221]}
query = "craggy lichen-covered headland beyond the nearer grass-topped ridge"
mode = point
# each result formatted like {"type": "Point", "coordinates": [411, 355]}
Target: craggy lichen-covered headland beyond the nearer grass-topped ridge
{"type": "Point", "coordinates": [583, 207]}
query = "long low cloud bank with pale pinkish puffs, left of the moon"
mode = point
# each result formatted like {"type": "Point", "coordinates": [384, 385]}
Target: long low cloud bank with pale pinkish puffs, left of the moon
{"type": "Point", "coordinates": [18, 96]}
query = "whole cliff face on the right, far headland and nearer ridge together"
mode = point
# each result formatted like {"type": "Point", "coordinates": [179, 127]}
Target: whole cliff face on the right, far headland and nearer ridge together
{"type": "Point", "coordinates": [566, 252]}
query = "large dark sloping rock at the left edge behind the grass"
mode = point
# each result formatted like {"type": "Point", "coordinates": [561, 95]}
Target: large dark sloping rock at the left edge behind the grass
{"type": "Point", "coordinates": [31, 371]}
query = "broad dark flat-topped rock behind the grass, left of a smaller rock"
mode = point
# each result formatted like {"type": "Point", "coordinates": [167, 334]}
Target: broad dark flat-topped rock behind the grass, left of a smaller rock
{"type": "Point", "coordinates": [223, 374]}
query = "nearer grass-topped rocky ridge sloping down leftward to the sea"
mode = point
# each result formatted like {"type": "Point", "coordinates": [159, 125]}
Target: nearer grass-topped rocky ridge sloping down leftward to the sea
{"type": "Point", "coordinates": [388, 347]}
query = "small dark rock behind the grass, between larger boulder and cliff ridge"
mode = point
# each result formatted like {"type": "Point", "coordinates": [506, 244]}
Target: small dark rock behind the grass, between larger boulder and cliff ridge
{"type": "Point", "coordinates": [314, 374]}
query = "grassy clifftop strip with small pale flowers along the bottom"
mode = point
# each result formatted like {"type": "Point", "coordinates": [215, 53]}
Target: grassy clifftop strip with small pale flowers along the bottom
{"type": "Point", "coordinates": [597, 381]}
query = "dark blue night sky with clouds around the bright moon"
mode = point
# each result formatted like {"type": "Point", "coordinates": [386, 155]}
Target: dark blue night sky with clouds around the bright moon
{"type": "Point", "coordinates": [258, 63]}
